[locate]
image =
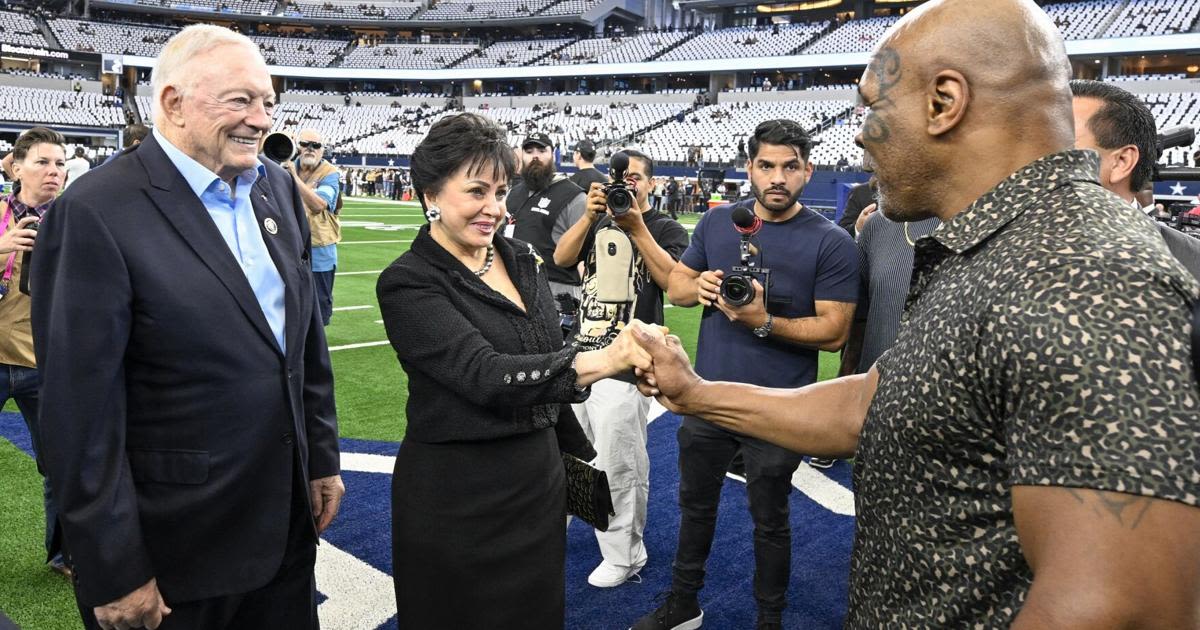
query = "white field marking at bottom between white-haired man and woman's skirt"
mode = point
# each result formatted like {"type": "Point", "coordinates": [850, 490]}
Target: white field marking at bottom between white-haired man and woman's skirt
{"type": "Point", "coordinates": [358, 597]}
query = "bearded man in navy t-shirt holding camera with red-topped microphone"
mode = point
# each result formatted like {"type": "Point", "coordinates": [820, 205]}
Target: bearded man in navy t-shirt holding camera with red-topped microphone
{"type": "Point", "coordinates": [772, 343]}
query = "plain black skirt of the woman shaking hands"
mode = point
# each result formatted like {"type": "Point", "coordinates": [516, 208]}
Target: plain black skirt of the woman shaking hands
{"type": "Point", "coordinates": [479, 535]}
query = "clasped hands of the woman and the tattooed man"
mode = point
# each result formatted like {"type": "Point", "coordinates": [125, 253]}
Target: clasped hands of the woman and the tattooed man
{"type": "Point", "coordinates": [659, 362]}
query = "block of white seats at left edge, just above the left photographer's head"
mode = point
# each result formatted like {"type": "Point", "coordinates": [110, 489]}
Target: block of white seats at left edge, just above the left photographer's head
{"type": "Point", "coordinates": [59, 107]}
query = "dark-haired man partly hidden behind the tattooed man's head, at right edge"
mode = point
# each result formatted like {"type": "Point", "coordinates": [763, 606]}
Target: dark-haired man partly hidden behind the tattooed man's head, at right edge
{"type": "Point", "coordinates": [1120, 128]}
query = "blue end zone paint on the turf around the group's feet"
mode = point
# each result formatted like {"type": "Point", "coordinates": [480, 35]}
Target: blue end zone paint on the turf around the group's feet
{"type": "Point", "coordinates": [821, 545]}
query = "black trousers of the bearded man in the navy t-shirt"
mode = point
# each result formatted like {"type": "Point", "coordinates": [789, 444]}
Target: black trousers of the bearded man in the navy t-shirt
{"type": "Point", "coordinates": [705, 455]}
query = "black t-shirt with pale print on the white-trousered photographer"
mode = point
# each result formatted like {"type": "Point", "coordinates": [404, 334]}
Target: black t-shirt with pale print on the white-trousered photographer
{"type": "Point", "coordinates": [599, 322]}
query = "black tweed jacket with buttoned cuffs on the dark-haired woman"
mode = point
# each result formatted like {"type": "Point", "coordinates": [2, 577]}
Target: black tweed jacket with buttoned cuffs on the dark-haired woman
{"type": "Point", "coordinates": [478, 367]}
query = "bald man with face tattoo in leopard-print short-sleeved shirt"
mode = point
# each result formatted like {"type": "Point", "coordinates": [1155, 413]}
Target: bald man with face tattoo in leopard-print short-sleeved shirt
{"type": "Point", "coordinates": [1027, 453]}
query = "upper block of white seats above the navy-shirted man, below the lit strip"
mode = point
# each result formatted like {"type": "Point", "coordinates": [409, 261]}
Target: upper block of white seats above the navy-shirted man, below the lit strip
{"type": "Point", "coordinates": [747, 41]}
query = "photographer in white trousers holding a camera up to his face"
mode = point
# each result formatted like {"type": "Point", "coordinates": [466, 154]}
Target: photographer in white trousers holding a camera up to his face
{"type": "Point", "coordinates": [628, 250]}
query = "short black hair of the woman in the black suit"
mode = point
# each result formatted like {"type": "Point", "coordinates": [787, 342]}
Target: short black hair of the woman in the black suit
{"type": "Point", "coordinates": [455, 142]}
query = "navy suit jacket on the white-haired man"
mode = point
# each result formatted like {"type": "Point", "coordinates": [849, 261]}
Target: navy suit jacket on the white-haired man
{"type": "Point", "coordinates": [171, 421]}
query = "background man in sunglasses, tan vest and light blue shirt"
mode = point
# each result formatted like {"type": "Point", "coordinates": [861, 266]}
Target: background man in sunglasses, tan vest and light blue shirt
{"type": "Point", "coordinates": [321, 187]}
